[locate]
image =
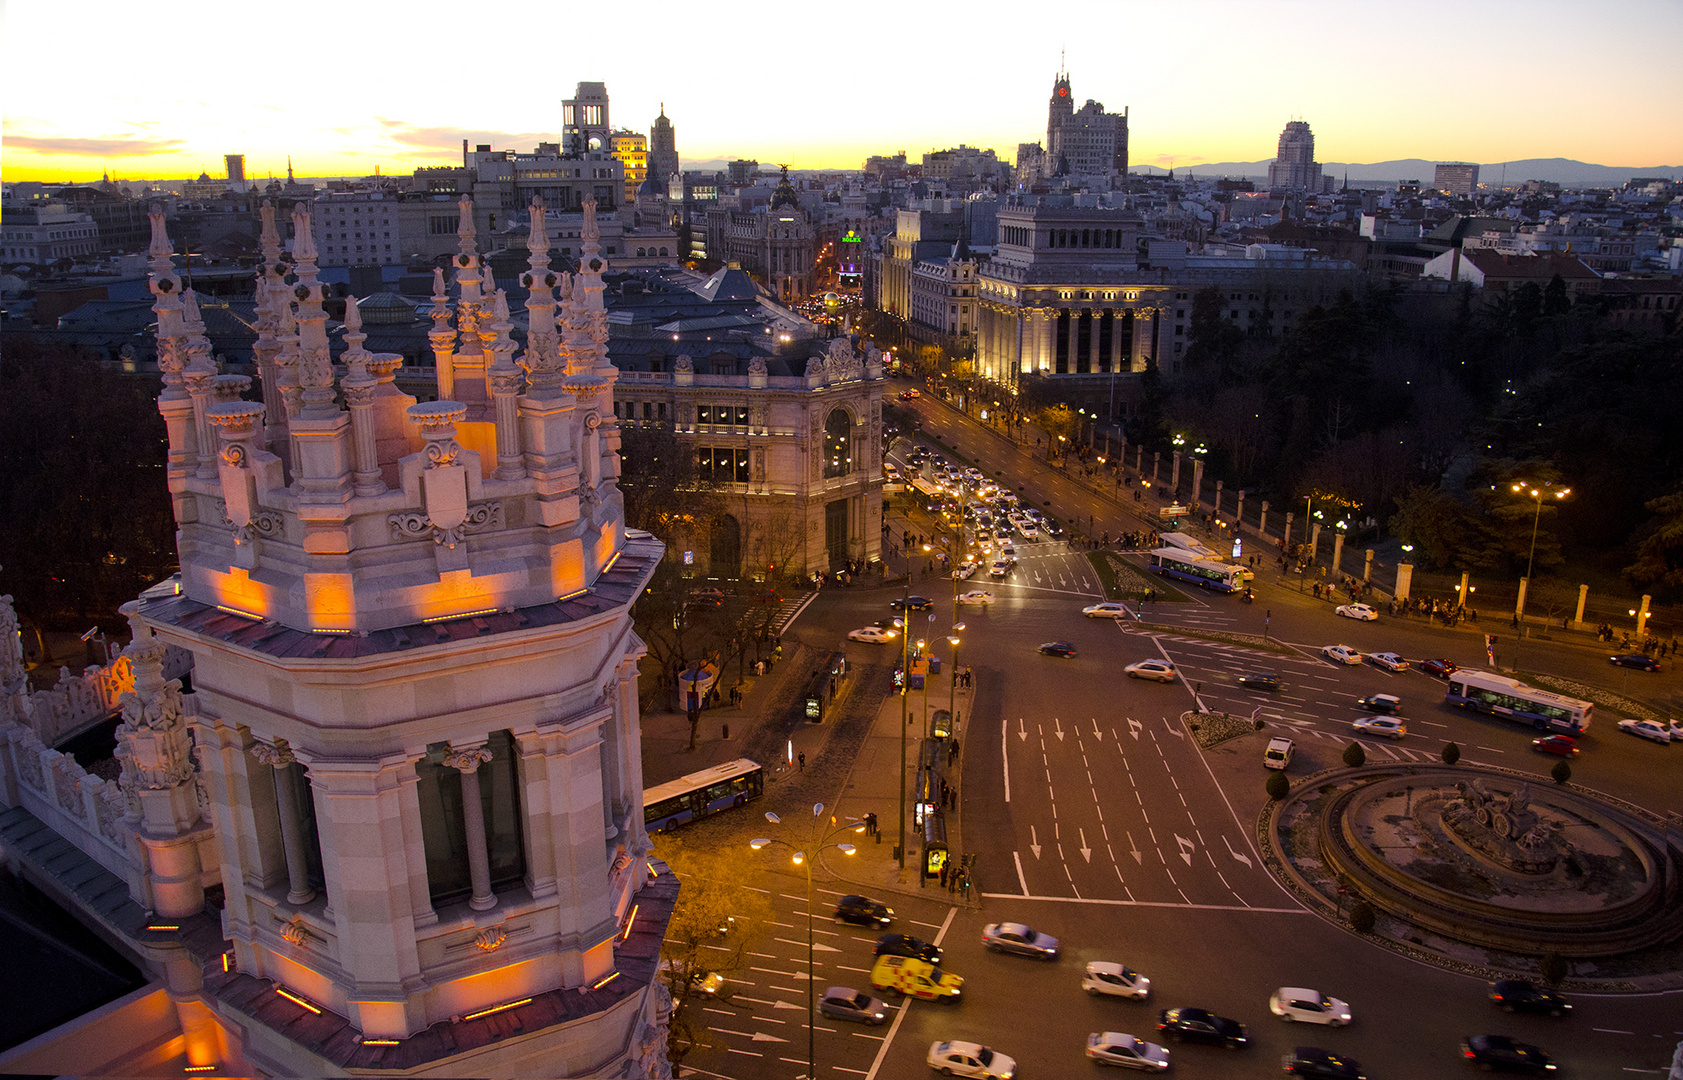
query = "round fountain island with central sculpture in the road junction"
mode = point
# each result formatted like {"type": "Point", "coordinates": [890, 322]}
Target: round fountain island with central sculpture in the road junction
{"type": "Point", "coordinates": [1487, 871]}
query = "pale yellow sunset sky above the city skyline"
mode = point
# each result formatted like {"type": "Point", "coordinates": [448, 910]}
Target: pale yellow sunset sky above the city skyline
{"type": "Point", "coordinates": [348, 88]}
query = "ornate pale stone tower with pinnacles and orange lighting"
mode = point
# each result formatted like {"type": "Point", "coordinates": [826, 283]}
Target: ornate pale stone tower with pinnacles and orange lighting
{"type": "Point", "coordinates": [415, 687]}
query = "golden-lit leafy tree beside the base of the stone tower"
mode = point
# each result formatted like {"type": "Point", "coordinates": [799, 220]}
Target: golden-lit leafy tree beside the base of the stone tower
{"type": "Point", "coordinates": [711, 931]}
